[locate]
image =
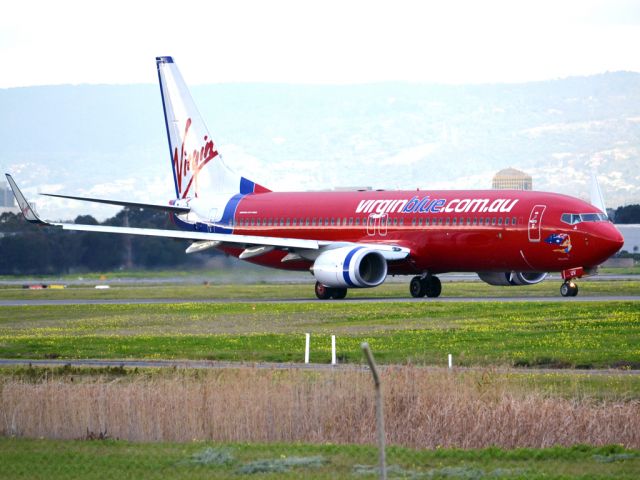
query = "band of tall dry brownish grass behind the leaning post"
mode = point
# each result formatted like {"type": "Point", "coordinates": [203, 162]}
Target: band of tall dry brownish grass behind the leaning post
{"type": "Point", "coordinates": [423, 409]}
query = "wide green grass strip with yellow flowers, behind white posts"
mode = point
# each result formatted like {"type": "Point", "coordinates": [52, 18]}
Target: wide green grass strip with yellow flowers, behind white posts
{"type": "Point", "coordinates": [583, 335]}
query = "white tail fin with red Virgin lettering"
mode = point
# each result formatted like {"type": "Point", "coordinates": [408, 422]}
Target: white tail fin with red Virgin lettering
{"type": "Point", "coordinates": [197, 165]}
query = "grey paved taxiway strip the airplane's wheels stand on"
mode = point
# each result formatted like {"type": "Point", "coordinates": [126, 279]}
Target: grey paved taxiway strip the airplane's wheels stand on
{"type": "Point", "coordinates": [426, 301]}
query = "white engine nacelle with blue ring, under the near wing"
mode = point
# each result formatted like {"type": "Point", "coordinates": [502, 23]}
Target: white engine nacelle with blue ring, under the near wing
{"type": "Point", "coordinates": [350, 267]}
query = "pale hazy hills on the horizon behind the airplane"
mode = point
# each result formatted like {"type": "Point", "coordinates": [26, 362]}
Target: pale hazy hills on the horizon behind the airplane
{"type": "Point", "coordinates": [106, 140]}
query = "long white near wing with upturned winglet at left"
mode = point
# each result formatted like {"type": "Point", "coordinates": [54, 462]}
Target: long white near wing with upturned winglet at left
{"type": "Point", "coordinates": [390, 252]}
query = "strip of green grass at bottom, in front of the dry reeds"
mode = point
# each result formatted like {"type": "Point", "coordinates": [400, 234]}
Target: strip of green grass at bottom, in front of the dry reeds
{"type": "Point", "coordinates": [106, 459]}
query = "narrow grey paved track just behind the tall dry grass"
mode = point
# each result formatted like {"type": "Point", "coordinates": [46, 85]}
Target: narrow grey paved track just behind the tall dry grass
{"type": "Point", "coordinates": [211, 364]}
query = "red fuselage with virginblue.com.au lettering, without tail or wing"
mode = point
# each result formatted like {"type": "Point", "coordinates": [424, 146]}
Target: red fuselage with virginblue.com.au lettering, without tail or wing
{"type": "Point", "coordinates": [452, 230]}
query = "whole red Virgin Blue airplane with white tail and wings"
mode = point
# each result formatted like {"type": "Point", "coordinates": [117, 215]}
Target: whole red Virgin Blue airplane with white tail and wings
{"type": "Point", "coordinates": [356, 239]}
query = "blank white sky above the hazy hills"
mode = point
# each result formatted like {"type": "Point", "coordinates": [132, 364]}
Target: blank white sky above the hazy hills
{"type": "Point", "coordinates": [328, 41]}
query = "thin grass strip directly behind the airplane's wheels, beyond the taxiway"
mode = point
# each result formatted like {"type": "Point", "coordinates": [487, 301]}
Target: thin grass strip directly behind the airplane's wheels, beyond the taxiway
{"type": "Point", "coordinates": [548, 288]}
